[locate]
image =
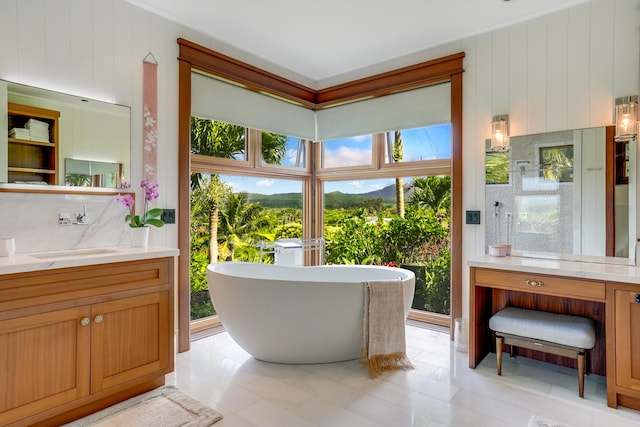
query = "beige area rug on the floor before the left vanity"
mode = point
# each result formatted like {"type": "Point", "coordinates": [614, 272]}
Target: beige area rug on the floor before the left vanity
{"type": "Point", "coordinates": [165, 406]}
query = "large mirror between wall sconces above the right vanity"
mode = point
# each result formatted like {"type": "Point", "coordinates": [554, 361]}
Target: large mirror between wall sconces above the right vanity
{"type": "Point", "coordinates": [548, 196]}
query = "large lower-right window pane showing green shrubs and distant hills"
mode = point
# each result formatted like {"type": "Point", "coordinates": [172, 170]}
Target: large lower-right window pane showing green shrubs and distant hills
{"type": "Point", "coordinates": [363, 226]}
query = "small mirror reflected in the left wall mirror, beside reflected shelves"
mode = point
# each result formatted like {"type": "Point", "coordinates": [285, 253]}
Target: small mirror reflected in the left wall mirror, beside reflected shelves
{"type": "Point", "coordinates": [87, 173]}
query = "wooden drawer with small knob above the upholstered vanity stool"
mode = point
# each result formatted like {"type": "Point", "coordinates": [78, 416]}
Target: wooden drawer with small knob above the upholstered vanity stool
{"type": "Point", "coordinates": [591, 290]}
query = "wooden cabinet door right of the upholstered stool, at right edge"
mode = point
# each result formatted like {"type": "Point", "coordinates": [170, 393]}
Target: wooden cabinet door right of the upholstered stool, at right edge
{"type": "Point", "coordinates": [627, 338]}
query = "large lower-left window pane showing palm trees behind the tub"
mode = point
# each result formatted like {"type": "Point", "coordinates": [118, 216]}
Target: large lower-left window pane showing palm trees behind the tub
{"type": "Point", "coordinates": [230, 216]}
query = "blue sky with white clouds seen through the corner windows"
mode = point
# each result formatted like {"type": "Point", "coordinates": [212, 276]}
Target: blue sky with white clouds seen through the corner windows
{"type": "Point", "coordinates": [432, 142]}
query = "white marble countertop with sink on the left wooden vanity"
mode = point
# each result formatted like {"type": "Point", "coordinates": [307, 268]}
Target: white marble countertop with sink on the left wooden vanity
{"type": "Point", "coordinates": [20, 263]}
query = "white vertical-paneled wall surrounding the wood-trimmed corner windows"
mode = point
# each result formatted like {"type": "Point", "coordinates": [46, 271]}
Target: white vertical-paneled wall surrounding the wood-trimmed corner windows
{"type": "Point", "coordinates": [560, 71]}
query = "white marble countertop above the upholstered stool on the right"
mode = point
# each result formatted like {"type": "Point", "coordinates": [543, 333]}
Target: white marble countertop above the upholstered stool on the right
{"type": "Point", "coordinates": [582, 269]}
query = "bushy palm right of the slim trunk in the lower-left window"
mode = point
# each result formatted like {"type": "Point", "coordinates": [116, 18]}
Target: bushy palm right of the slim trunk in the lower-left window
{"type": "Point", "coordinates": [240, 221]}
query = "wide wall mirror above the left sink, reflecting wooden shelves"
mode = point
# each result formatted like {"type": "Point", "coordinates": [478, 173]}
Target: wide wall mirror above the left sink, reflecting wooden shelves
{"type": "Point", "coordinates": [81, 136]}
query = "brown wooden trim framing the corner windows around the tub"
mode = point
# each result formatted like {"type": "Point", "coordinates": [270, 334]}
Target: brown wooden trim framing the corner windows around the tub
{"type": "Point", "coordinates": [194, 57]}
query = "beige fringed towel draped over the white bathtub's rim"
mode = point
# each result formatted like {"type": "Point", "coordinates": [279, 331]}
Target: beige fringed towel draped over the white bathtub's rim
{"type": "Point", "coordinates": [383, 340]}
